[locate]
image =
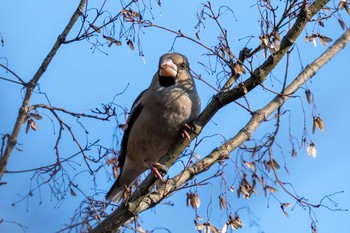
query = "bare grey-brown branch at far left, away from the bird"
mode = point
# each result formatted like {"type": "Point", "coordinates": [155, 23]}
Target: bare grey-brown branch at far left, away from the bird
{"type": "Point", "coordinates": [12, 138]}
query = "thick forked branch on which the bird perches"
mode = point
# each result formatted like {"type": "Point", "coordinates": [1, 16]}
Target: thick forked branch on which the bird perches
{"type": "Point", "coordinates": [144, 199]}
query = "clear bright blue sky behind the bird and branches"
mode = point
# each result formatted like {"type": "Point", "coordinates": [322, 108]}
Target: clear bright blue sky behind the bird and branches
{"type": "Point", "coordinates": [80, 79]}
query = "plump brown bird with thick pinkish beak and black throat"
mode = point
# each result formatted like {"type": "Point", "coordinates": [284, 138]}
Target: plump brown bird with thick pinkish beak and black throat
{"type": "Point", "coordinates": [157, 117]}
